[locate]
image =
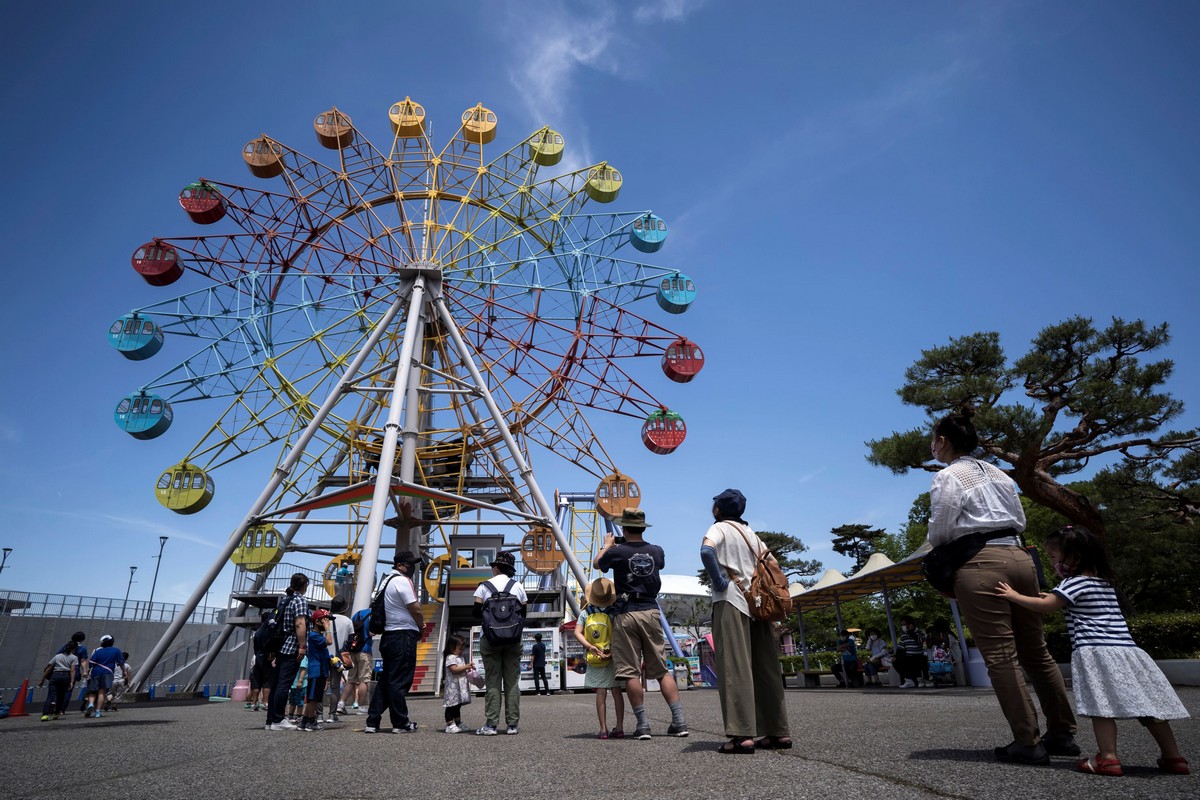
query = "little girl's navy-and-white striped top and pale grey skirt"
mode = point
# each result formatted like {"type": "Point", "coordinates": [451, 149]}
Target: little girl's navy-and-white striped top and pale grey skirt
{"type": "Point", "coordinates": [1111, 675]}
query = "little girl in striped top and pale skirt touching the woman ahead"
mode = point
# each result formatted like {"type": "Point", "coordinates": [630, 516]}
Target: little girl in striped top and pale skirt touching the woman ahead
{"type": "Point", "coordinates": [1113, 678]}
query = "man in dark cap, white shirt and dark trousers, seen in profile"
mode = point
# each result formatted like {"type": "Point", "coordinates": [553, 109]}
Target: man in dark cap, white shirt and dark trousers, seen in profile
{"type": "Point", "coordinates": [398, 646]}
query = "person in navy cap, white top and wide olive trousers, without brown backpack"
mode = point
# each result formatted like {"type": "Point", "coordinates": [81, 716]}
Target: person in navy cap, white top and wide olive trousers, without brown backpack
{"type": "Point", "coordinates": [751, 683]}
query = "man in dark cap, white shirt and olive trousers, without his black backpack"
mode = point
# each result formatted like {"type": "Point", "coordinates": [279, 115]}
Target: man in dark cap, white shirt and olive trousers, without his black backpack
{"type": "Point", "coordinates": [502, 663]}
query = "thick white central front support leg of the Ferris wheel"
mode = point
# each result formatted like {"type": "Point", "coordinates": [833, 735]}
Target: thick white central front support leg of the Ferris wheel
{"type": "Point", "coordinates": [374, 534]}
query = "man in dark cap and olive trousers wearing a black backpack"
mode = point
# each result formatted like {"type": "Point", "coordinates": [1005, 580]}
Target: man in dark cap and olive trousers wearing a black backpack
{"type": "Point", "coordinates": [501, 607]}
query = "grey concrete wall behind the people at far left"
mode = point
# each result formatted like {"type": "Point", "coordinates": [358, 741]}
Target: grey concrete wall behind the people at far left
{"type": "Point", "coordinates": [29, 643]}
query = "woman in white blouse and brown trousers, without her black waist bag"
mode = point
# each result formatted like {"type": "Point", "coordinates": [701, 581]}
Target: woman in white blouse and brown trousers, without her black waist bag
{"type": "Point", "coordinates": [974, 497]}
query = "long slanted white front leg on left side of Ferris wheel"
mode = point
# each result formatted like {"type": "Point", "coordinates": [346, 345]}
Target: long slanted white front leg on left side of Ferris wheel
{"type": "Point", "coordinates": [281, 472]}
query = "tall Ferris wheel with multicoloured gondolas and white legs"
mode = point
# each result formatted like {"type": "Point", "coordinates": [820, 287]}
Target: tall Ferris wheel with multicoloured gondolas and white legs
{"type": "Point", "coordinates": [403, 328]}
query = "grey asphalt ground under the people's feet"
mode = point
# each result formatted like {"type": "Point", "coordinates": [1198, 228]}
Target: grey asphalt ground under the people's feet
{"type": "Point", "coordinates": [863, 744]}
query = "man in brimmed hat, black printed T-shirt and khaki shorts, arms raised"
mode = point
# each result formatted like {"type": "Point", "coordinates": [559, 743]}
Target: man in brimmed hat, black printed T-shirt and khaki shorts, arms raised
{"type": "Point", "coordinates": [638, 635]}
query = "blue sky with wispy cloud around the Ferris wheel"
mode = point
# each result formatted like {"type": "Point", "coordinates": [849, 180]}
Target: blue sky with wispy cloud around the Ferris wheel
{"type": "Point", "coordinates": [848, 184]}
